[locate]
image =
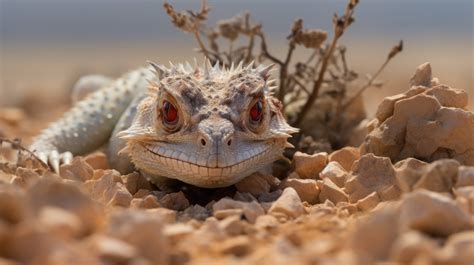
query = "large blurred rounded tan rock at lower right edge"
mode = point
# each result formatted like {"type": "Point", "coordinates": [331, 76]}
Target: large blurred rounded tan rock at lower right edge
{"type": "Point", "coordinates": [432, 213]}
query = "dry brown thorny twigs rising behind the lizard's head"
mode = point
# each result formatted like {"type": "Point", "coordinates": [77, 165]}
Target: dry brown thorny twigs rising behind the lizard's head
{"type": "Point", "coordinates": [301, 82]}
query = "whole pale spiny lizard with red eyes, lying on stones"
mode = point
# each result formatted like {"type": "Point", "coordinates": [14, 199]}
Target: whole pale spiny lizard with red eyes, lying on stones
{"type": "Point", "coordinates": [206, 126]}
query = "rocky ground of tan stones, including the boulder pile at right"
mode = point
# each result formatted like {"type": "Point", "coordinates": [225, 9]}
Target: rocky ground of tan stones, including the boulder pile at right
{"type": "Point", "coordinates": [405, 196]}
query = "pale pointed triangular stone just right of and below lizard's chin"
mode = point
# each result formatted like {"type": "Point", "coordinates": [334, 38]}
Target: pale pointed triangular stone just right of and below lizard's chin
{"type": "Point", "coordinates": [289, 203]}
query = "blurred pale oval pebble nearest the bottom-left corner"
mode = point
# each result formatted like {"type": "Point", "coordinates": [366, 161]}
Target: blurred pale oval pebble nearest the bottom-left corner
{"type": "Point", "coordinates": [60, 222]}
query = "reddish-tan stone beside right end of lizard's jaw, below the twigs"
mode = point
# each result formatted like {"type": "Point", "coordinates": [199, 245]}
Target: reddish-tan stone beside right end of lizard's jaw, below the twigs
{"type": "Point", "coordinates": [309, 166]}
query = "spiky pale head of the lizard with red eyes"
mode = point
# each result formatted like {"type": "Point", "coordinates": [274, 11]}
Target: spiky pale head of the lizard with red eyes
{"type": "Point", "coordinates": [207, 126]}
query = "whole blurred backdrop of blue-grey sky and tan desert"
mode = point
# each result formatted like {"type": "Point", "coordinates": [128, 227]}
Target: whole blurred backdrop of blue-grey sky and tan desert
{"type": "Point", "coordinates": [46, 45]}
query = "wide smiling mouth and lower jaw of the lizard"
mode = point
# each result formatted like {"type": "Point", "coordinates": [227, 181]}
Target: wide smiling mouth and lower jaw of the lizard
{"type": "Point", "coordinates": [186, 168]}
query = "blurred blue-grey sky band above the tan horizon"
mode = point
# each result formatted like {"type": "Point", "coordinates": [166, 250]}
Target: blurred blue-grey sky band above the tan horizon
{"type": "Point", "coordinates": [126, 20]}
